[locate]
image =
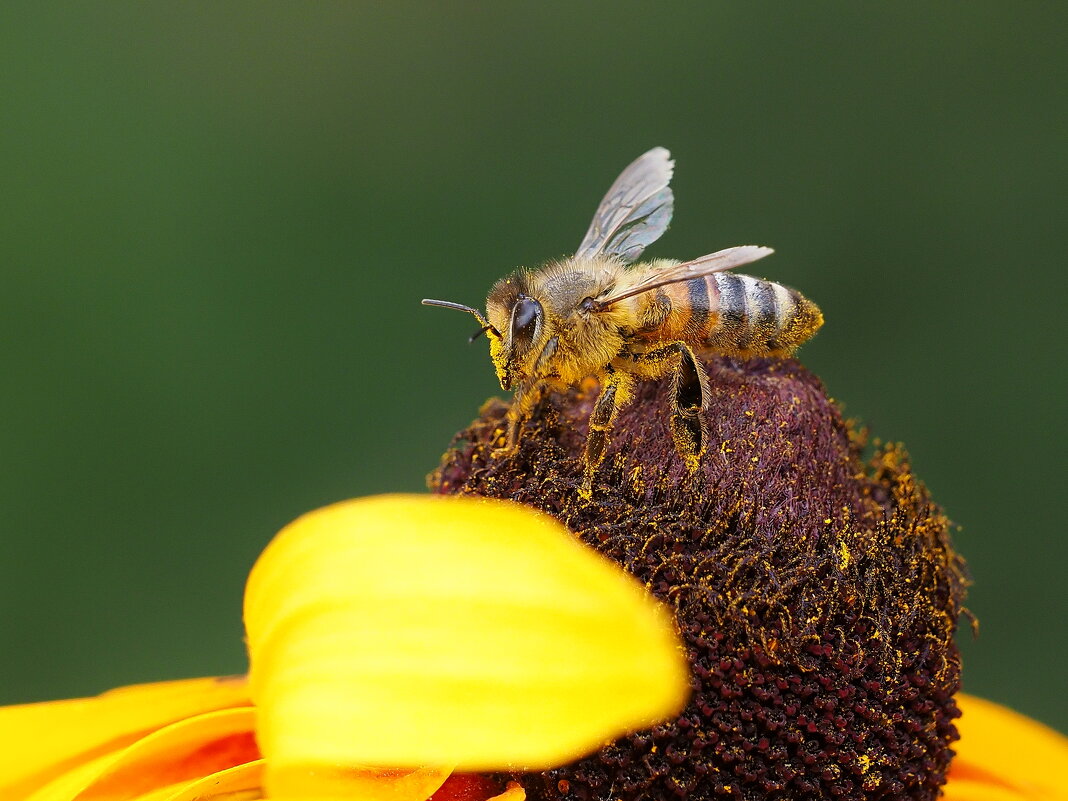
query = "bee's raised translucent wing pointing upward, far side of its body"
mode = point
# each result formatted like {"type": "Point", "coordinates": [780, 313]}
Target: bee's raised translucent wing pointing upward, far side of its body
{"type": "Point", "coordinates": [636, 212]}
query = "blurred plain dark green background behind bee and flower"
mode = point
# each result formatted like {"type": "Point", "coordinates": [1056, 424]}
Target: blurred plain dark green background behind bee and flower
{"type": "Point", "coordinates": [217, 222]}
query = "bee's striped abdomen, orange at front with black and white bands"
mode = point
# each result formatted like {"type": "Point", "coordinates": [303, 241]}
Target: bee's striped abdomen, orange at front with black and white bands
{"type": "Point", "coordinates": [734, 316]}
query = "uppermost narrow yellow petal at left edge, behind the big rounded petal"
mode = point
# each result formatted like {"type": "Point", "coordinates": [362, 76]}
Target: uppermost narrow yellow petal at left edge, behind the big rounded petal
{"type": "Point", "coordinates": [40, 742]}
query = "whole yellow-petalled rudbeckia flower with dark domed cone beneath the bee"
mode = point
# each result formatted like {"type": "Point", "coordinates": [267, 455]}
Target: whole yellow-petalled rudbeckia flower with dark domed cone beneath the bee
{"type": "Point", "coordinates": [406, 649]}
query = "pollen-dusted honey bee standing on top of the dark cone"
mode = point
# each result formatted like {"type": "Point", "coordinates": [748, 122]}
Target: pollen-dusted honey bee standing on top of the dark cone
{"type": "Point", "coordinates": [600, 315]}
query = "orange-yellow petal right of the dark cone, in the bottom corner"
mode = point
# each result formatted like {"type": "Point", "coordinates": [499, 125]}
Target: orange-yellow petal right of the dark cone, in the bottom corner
{"type": "Point", "coordinates": [1004, 757]}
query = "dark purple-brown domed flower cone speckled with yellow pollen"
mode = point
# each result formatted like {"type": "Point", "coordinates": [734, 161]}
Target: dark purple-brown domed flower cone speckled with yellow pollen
{"type": "Point", "coordinates": [818, 594]}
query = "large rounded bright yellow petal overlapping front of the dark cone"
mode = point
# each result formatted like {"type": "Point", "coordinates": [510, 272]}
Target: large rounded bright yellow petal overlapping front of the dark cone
{"type": "Point", "coordinates": [410, 631]}
